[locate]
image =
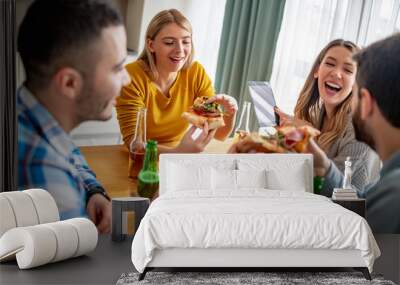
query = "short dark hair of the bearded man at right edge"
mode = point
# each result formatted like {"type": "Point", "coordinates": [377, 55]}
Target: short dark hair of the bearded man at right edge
{"type": "Point", "coordinates": [379, 72]}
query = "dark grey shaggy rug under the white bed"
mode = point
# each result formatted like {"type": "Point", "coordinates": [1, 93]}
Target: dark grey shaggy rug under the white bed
{"type": "Point", "coordinates": [230, 278]}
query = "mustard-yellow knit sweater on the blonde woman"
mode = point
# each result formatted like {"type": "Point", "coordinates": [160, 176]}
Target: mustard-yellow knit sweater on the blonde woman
{"type": "Point", "coordinates": [164, 122]}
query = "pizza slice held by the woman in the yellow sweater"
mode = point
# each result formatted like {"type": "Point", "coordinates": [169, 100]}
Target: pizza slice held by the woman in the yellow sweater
{"type": "Point", "coordinates": [202, 112]}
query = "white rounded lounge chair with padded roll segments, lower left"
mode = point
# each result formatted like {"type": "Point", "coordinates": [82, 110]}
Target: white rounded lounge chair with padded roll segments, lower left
{"type": "Point", "coordinates": [31, 232]}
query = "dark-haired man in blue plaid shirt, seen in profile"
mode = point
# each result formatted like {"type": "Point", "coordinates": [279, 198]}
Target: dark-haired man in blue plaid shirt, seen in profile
{"type": "Point", "coordinates": [73, 52]}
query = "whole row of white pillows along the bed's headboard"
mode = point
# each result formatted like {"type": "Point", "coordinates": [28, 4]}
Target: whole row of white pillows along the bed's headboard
{"type": "Point", "coordinates": [284, 173]}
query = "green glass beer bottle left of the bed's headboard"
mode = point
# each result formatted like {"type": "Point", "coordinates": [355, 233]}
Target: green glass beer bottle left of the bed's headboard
{"type": "Point", "coordinates": [148, 178]}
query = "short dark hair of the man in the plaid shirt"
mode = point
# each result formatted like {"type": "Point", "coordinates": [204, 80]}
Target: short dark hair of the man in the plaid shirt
{"type": "Point", "coordinates": [54, 32]}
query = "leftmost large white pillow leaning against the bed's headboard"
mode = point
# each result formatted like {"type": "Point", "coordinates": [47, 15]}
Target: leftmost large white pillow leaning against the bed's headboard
{"type": "Point", "coordinates": [188, 177]}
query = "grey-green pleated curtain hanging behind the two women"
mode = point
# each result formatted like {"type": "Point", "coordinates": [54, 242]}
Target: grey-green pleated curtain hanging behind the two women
{"type": "Point", "coordinates": [248, 40]}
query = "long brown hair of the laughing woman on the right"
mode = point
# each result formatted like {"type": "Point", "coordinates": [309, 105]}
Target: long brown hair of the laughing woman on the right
{"type": "Point", "coordinates": [310, 108]}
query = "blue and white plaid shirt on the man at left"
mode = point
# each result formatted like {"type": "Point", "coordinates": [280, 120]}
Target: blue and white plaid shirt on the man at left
{"type": "Point", "coordinates": [48, 158]}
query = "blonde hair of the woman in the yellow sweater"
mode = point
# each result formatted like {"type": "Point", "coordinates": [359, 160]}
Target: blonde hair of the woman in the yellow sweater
{"type": "Point", "coordinates": [158, 22]}
